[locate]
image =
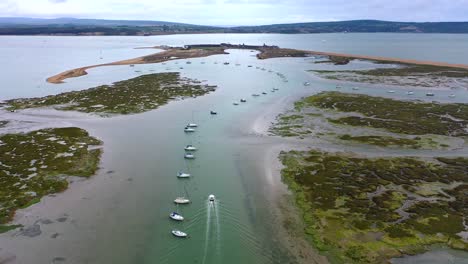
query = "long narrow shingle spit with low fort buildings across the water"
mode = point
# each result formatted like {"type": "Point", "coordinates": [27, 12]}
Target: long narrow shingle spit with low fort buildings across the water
{"type": "Point", "coordinates": [169, 54]}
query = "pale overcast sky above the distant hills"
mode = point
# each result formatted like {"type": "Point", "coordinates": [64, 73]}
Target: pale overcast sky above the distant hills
{"type": "Point", "coordinates": [241, 12]}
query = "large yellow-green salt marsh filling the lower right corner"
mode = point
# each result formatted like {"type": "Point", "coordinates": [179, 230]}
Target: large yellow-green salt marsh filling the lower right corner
{"type": "Point", "coordinates": [364, 210]}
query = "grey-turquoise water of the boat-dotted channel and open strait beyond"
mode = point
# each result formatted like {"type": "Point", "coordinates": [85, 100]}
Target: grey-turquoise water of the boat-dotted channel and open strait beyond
{"type": "Point", "coordinates": [123, 218]}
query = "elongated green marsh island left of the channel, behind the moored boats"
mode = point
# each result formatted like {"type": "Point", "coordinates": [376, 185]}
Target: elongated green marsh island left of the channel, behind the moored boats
{"type": "Point", "coordinates": [140, 94]}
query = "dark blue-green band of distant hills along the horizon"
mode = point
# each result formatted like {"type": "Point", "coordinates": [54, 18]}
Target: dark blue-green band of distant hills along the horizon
{"type": "Point", "coordinates": [74, 26]}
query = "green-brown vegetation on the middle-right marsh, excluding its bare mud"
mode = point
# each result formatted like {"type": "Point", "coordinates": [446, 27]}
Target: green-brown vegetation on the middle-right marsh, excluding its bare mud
{"type": "Point", "coordinates": [415, 118]}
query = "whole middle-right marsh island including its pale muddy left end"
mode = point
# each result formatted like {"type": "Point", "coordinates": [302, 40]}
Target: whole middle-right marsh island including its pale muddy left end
{"type": "Point", "coordinates": [380, 121]}
